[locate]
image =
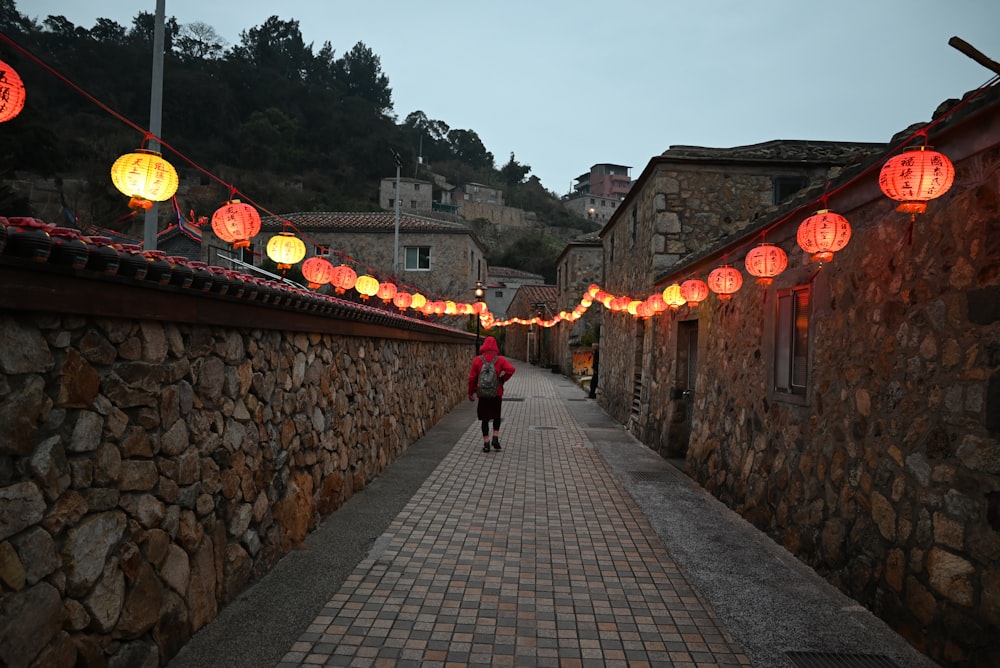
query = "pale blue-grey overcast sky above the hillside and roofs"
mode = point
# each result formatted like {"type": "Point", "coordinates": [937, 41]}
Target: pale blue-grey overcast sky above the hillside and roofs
{"type": "Point", "coordinates": [565, 85]}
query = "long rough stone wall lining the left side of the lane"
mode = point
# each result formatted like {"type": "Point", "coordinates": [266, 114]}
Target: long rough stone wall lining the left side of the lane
{"type": "Point", "coordinates": [151, 468]}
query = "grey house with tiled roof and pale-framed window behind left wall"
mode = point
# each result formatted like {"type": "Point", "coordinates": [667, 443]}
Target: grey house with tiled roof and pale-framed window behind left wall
{"type": "Point", "coordinates": [439, 258]}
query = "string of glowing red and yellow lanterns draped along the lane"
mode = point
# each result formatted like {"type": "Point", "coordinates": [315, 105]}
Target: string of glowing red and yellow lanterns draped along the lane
{"type": "Point", "coordinates": [913, 177]}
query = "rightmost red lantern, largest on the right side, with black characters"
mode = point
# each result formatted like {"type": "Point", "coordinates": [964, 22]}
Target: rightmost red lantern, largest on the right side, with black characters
{"type": "Point", "coordinates": [915, 176]}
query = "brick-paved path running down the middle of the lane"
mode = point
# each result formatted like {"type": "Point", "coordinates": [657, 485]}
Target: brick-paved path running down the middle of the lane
{"type": "Point", "coordinates": [531, 556]}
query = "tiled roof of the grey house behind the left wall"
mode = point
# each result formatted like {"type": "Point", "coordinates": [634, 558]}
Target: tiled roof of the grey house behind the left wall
{"type": "Point", "coordinates": [378, 221]}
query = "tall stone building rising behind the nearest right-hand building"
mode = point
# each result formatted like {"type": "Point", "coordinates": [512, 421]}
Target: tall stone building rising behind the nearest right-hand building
{"type": "Point", "coordinates": [684, 203]}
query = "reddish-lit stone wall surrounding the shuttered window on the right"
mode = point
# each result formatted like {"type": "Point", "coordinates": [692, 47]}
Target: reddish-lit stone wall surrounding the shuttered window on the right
{"type": "Point", "coordinates": [884, 476]}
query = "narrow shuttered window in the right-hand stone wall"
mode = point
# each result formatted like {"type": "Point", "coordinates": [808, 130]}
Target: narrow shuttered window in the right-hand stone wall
{"type": "Point", "coordinates": [791, 342]}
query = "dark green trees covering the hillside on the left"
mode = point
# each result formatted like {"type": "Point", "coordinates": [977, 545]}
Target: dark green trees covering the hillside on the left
{"type": "Point", "coordinates": [293, 128]}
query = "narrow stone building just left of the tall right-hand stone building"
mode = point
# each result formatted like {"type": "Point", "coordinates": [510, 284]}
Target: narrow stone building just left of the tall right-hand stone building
{"type": "Point", "coordinates": [577, 267]}
